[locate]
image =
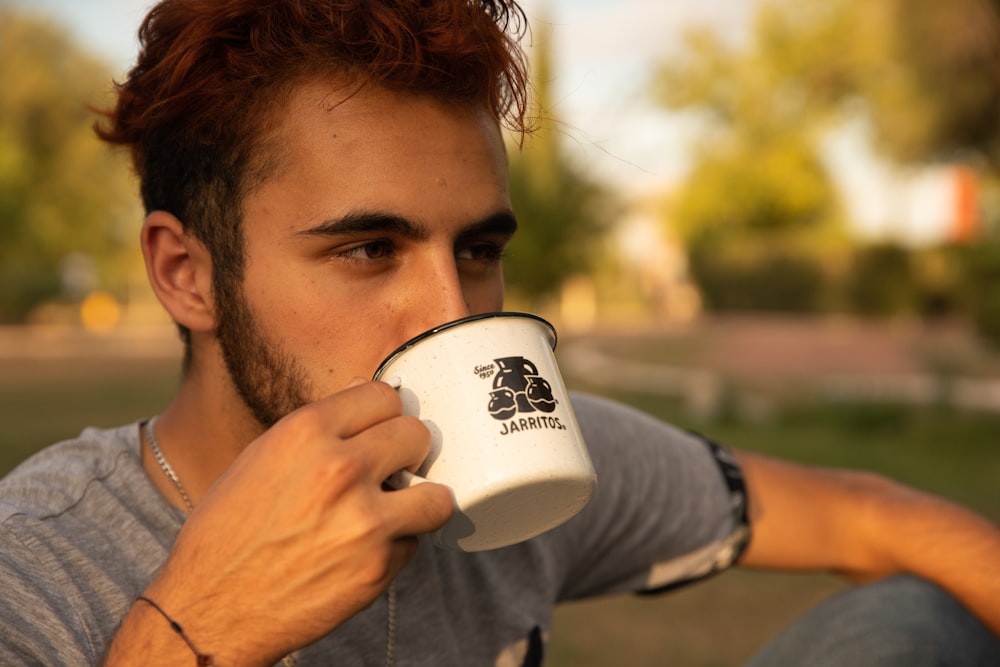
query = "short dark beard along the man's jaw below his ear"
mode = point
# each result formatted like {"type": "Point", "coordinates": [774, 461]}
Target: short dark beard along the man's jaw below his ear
{"type": "Point", "coordinates": [270, 381]}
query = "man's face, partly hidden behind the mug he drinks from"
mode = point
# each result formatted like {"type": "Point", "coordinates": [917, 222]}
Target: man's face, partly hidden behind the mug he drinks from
{"type": "Point", "coordinates": [387, 216]}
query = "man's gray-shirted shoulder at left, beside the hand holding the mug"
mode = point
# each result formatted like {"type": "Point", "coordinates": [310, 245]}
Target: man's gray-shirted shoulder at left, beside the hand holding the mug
{"type": "Point", "coordinates": [70, 557]}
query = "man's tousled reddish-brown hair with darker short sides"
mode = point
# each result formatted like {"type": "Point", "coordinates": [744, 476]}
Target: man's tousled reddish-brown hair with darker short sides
{"type": "Point", "coordinates": [211, 75]}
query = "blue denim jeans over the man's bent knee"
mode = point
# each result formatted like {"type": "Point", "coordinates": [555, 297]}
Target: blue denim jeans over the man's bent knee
{"type": "Point", "coordinates": [901, 621]}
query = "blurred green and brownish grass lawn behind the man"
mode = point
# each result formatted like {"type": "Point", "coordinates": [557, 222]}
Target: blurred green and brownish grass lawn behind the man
{"type": "Point", "coordinates": [716, 623]}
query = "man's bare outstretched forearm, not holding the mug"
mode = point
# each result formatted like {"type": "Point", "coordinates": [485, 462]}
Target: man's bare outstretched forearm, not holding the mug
{"type": "Point", "coordinates": [866, 526]}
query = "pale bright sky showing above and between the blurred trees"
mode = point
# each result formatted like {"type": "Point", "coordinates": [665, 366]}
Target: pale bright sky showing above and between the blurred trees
{"type": "Point", "coordinates": [604, 51]}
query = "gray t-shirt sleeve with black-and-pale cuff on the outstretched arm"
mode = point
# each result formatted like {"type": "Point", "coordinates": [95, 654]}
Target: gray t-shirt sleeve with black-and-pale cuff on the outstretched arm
{"type": "Point", "coordinates": [670, 506]}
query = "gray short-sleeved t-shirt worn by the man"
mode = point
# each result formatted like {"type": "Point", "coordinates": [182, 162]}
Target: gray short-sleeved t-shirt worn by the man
{"type": "Point", "coordinates": [83, 532]}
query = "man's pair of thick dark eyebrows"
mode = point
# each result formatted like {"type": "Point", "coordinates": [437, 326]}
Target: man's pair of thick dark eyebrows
{"type": "Point", "coordinates": [366, 222]}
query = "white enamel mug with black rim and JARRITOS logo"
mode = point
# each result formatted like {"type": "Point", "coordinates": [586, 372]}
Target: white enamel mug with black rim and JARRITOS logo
{"type": "Point", "coordinates": [504, 438]}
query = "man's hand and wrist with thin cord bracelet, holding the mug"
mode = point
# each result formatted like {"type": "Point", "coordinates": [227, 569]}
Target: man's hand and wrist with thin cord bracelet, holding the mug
{"type": "Point", "coordinates": [295, 538]}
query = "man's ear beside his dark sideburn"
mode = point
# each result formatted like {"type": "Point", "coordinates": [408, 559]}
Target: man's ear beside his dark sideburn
{"type": "Point", "coordinates": [179, 270]}
